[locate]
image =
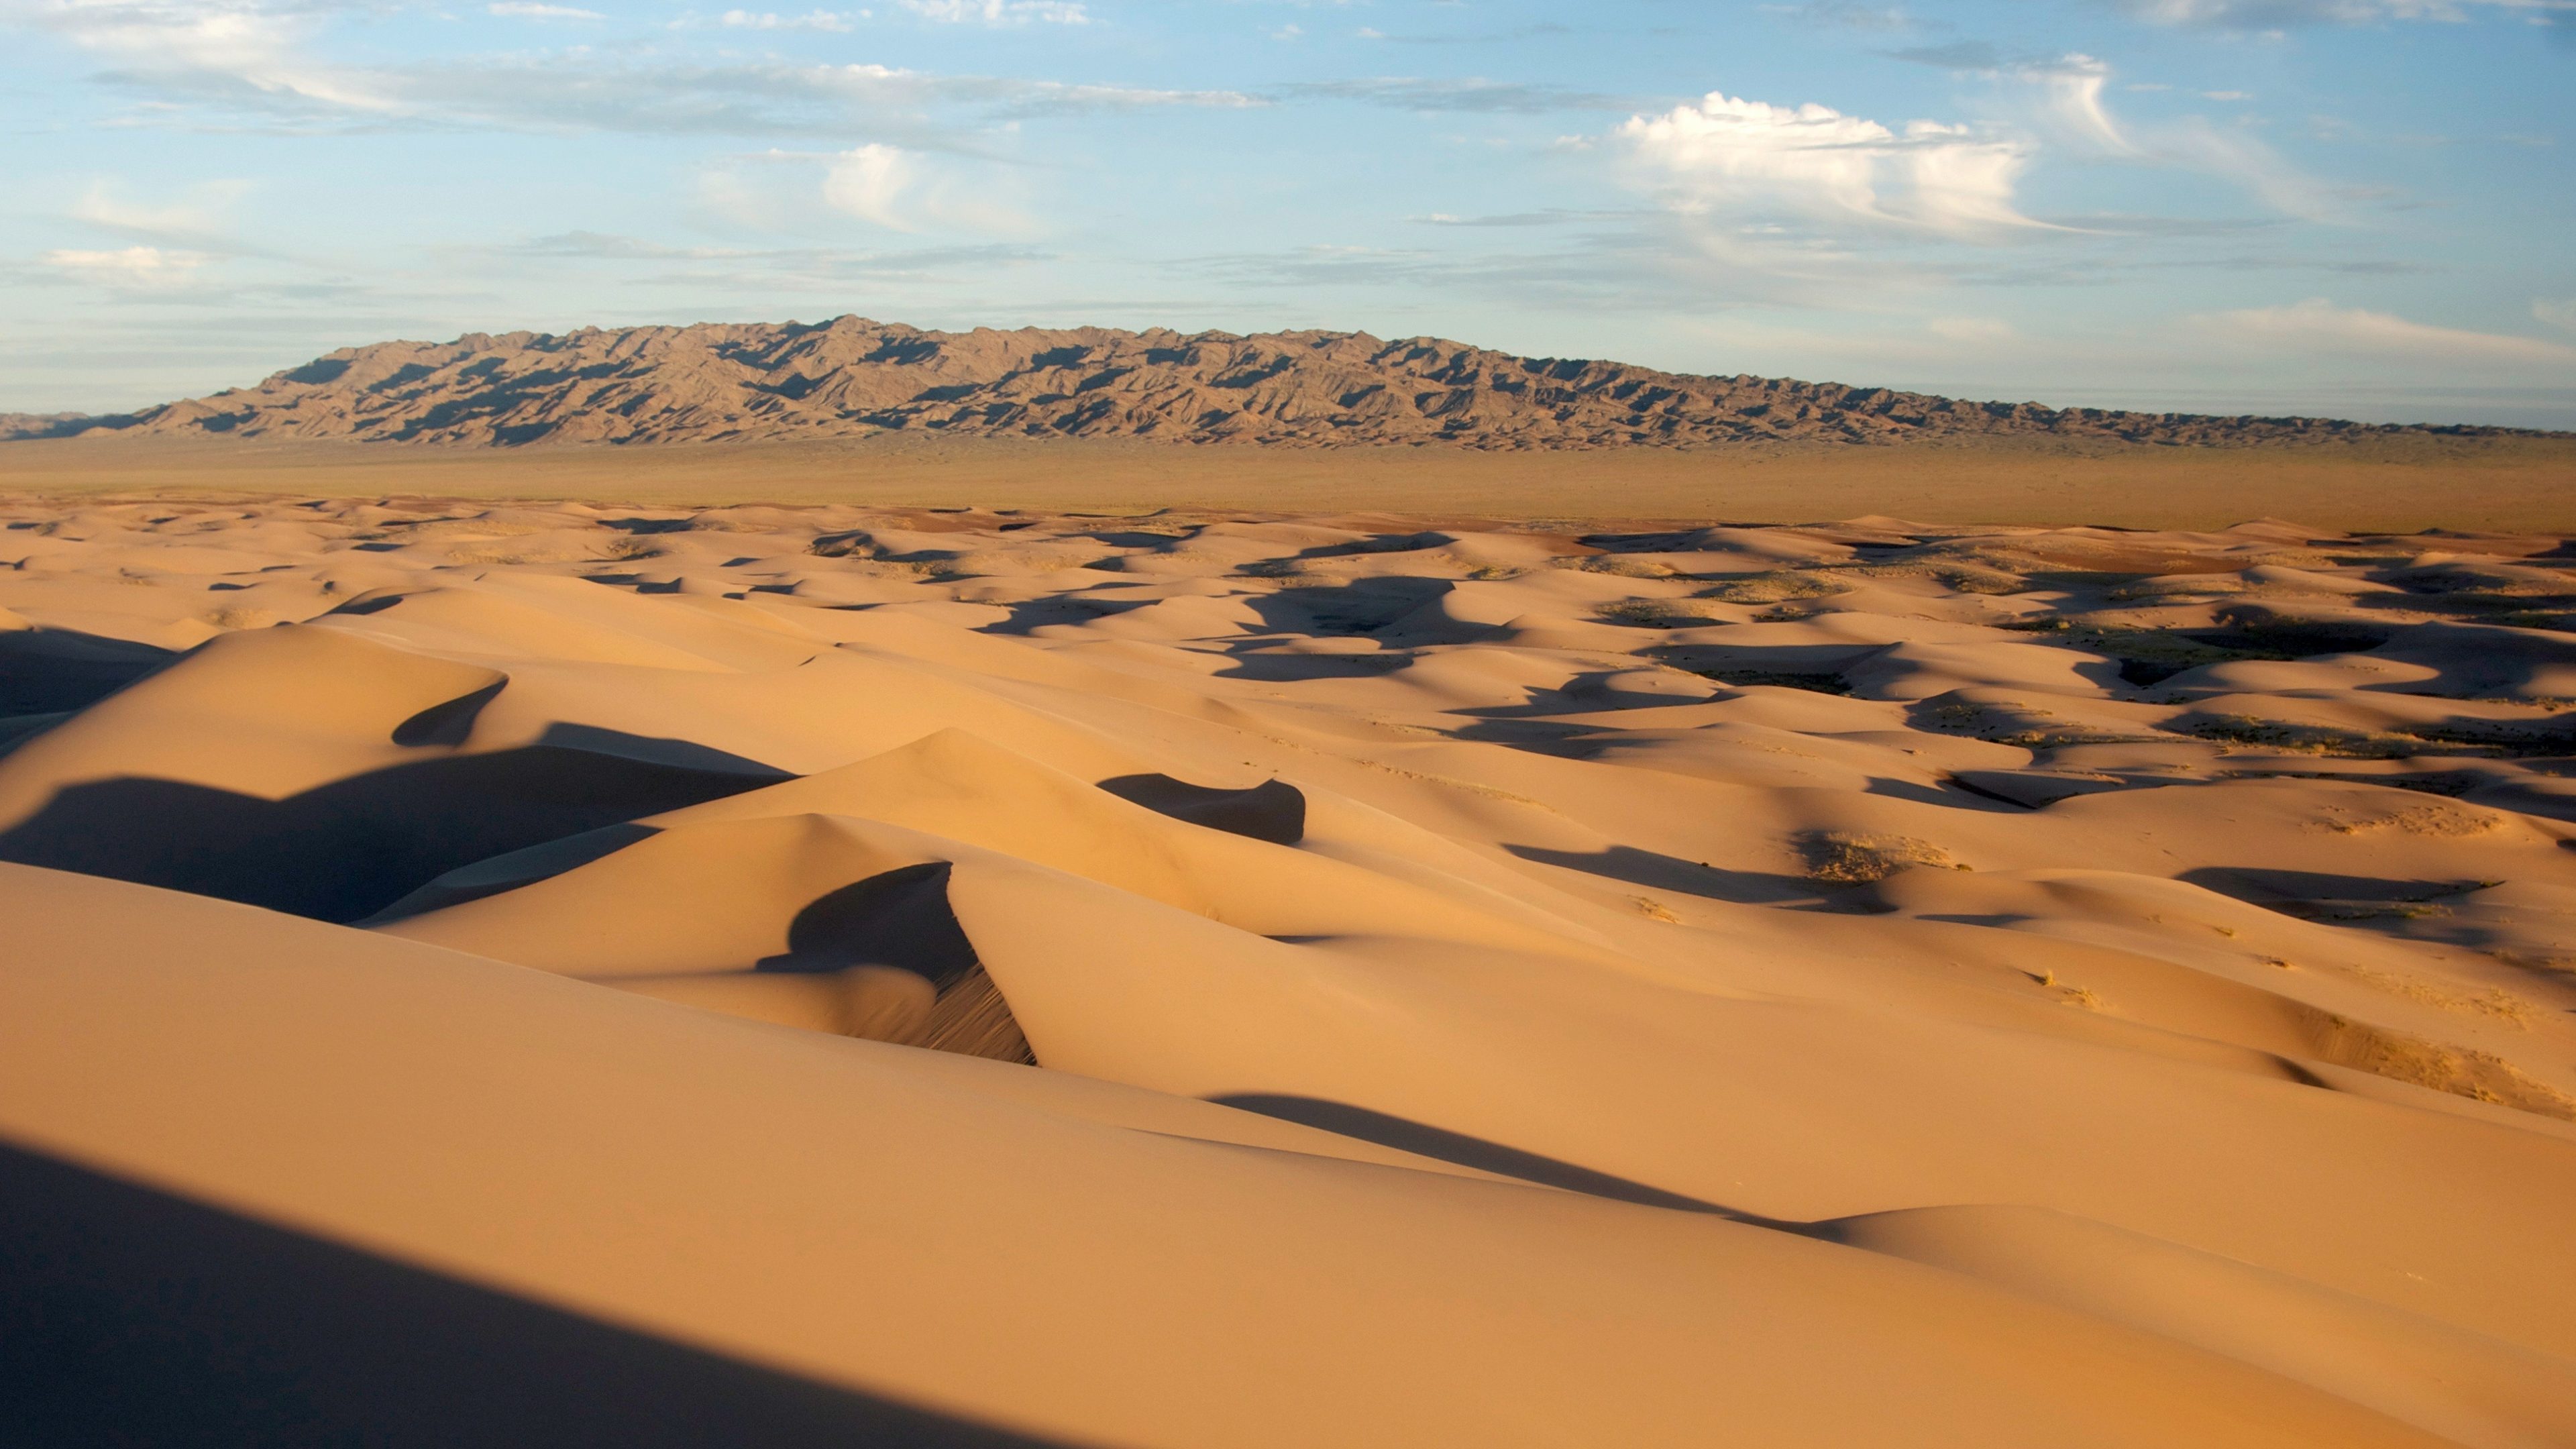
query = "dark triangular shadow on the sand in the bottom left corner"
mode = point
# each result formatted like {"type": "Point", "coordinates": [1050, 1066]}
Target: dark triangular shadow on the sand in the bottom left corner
{"type": "Point", "coordinates": [140, 1319]}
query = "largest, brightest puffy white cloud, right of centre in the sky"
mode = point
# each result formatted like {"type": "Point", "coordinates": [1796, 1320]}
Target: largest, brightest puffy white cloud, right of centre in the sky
{"type": "Point", "coordinates": [1750, 161]}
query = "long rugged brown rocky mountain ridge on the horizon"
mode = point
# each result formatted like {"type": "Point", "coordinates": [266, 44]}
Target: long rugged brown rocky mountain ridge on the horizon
{"type": "Point", "coordinates": [854, 378]}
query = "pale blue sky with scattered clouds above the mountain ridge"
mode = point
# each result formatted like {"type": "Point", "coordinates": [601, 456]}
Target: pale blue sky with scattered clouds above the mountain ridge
{"type": "Point", "coordinates": [2335, 208]}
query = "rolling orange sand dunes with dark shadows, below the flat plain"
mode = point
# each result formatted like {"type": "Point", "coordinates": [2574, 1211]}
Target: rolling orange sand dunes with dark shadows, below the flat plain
{"type": "Point", "coordinates": [1282, 981]}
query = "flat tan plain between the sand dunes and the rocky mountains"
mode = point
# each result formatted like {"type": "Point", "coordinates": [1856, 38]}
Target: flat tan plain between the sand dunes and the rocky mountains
{"type": "Point", "coordinates": [2521, 483]}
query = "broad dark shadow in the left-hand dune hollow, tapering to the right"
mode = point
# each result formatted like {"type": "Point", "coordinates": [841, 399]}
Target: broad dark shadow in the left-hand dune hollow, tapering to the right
{"type": "Point", "coordinates": [354, 847]}
